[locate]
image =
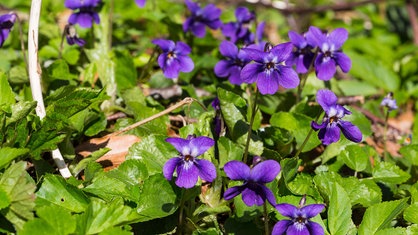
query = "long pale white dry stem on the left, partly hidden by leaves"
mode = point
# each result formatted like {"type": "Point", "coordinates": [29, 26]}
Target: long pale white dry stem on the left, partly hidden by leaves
{"type": "Point", "coordinates": [35, 77]}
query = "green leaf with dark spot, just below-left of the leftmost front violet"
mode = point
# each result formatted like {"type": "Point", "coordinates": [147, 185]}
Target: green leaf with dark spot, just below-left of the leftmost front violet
{"type": "Point", "coordinates": [151, 206]}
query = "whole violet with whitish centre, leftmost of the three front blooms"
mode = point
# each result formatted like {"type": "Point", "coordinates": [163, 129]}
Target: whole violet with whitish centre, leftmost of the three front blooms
{"type": "Point", "coordinates": [187, 166]}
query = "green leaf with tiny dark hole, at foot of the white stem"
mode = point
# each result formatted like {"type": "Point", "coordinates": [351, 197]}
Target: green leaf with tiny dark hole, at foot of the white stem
{"type": "Point", "coordinates": [55, 190]}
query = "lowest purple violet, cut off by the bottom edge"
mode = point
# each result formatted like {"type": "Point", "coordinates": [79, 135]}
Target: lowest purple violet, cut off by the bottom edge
{"type": "Point", "coordinates": [299, 222]}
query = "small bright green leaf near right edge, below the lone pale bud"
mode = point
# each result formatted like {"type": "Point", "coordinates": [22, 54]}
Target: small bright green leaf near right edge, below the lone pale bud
{"type": "Point", "coordinates": [389, 173]}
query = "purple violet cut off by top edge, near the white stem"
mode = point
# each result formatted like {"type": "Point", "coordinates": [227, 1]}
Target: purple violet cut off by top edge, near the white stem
{"type": "Point", "coordinates": [86, 14]}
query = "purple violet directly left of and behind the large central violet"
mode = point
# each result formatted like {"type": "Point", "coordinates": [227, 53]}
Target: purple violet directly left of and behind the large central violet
{"type": "Point", "coordinates": [235, 61]}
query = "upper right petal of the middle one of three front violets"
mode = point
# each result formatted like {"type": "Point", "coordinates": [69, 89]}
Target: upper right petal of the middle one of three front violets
{"type": "Point", "coordinates": [265, 171]}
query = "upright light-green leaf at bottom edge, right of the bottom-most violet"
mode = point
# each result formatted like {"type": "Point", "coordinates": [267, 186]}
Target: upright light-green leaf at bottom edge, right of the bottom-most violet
{"type": "Point", "coordinates": [339, 211]}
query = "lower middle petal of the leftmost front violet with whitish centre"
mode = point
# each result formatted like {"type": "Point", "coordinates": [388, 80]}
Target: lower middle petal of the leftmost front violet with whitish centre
{"type": "Point", "coordinates": [187, 174]}
